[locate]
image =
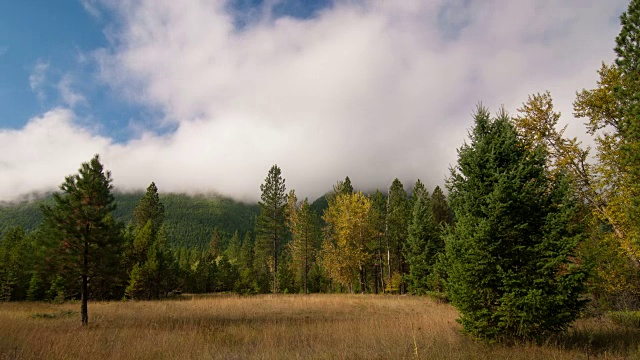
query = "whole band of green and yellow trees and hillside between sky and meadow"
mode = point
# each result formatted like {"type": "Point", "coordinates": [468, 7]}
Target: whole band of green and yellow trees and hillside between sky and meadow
{"type": "Point", "coordinates": [532, 231]}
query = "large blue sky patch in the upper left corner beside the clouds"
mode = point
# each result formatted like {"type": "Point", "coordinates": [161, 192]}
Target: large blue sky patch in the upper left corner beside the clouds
{"type": "Point", "coordinates": [54, 36]}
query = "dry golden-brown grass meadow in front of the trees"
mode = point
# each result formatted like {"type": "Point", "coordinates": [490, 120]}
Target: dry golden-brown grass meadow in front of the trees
{"type": "Point", "coordinates": [280, 327]}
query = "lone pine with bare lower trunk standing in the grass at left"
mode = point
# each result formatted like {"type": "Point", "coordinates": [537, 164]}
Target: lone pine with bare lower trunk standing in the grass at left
{"type": "Point", "coordinates": [82, 222]}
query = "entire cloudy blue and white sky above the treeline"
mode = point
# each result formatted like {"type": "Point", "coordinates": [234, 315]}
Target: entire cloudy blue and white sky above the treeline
{"type": "Point", "coordinates": [204, 96]}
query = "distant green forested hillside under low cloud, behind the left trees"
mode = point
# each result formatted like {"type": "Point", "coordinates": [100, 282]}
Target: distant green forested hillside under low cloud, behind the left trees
{"type": "Point", "coordinates": [190, 220]}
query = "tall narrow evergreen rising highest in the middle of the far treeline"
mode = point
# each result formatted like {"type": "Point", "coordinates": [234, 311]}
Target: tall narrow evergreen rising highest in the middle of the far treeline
{"type": "Point", "coordinates": [271, 226]}
